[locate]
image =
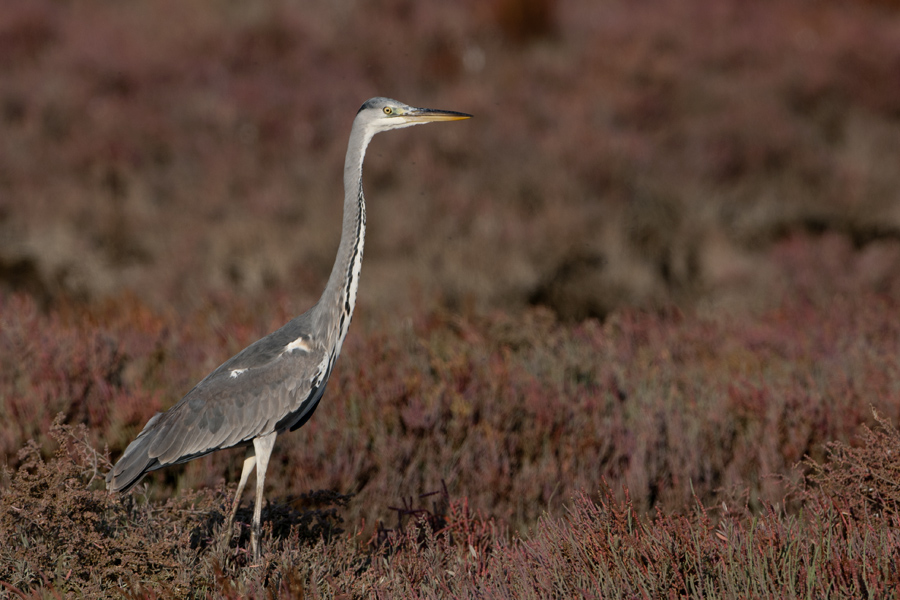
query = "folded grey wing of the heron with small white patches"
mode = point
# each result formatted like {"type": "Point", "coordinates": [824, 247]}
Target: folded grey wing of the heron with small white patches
{"type": "Point", "coordinates": [269, 386]}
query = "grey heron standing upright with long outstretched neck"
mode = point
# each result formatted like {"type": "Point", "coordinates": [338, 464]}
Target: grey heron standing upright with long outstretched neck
{"type": "Point", "coordinates": [276, 383]}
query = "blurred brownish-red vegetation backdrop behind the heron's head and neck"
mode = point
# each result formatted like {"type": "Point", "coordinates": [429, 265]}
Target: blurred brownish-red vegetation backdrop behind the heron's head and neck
{"type": "Point", "coordinates": [623, 154]}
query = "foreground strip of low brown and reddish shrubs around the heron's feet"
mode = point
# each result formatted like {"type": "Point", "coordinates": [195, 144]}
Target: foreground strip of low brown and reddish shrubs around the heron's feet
{"type": "Point", "coordinates": [64, 535]}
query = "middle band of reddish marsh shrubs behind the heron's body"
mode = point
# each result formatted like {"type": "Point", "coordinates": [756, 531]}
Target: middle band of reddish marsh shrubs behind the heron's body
{"type": "Point", "coordinates": [516, 413]}
